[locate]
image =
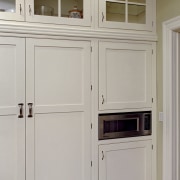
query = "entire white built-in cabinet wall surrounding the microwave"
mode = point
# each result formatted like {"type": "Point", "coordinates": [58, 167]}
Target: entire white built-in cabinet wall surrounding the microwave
{"type": "Point", "coordinates": [62, 64]}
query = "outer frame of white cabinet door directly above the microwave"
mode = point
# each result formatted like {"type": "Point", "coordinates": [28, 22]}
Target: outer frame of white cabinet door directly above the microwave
{"type": "Point", "coordinates": [104, 103]}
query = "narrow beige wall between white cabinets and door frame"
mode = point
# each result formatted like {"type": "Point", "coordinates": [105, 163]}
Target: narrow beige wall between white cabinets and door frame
{"type": "Point", "coordinates": [166, 9]}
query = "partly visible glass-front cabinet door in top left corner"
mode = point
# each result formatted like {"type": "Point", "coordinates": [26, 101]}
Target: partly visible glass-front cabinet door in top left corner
{"type": "Point", "coordinates": [12, 10]}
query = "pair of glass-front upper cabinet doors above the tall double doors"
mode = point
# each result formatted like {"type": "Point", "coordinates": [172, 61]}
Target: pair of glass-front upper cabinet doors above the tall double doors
{"type": "Point", "coordinates": [71, 12]}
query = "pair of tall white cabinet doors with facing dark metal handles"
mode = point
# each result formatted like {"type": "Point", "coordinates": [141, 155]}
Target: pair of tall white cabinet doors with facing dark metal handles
{"type": "Point", "coordinates": [56, 109]}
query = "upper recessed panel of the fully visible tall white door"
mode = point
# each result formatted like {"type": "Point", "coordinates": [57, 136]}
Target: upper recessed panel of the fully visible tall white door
{"type": "Point", "coordinates": [56, 67]}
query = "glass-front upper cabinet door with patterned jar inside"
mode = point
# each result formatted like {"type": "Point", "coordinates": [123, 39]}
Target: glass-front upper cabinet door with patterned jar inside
{"type": "Point", "coordinates": [66, 12]}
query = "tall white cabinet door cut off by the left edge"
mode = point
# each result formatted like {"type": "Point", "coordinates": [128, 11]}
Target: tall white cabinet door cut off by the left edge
{"type": "Point", "coordinates": [12, 92]}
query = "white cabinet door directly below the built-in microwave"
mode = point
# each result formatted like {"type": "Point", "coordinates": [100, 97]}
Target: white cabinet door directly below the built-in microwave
{"type": "Point", "coordinates": [127, 161]}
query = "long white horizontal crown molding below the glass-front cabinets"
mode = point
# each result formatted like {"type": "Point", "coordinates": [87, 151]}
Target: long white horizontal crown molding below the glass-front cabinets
{"type": "Point", "coordinates": [26, 28]}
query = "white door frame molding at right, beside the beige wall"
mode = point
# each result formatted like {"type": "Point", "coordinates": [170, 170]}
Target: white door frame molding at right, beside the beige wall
{"type": "Point", "coordinates": [171, 128]}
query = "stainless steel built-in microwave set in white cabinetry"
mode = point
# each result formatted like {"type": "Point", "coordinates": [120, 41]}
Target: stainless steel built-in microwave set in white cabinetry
{"type": "Point", "coordinates": [121, 125]}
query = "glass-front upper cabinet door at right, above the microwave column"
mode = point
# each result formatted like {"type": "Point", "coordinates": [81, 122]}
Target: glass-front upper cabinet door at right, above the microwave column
{"type": "Point", "coordinates": [126, 14]}
